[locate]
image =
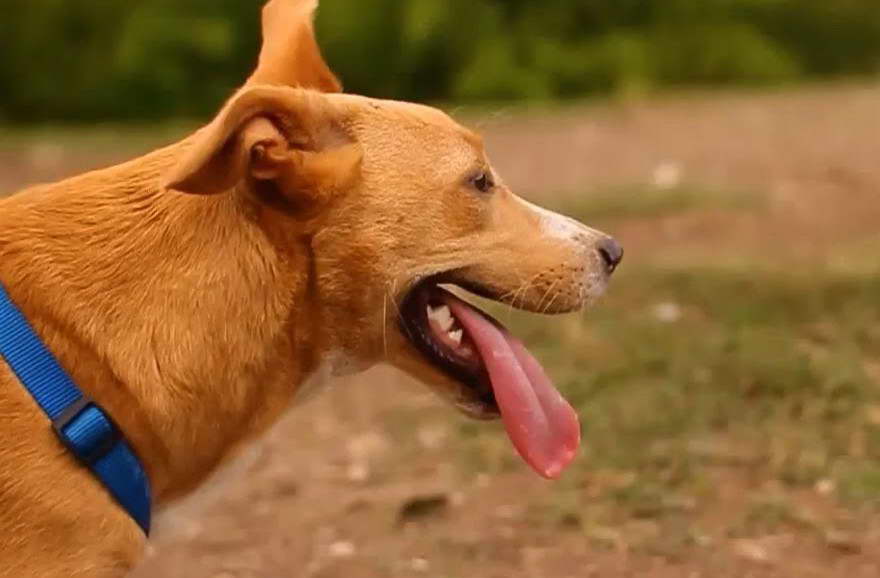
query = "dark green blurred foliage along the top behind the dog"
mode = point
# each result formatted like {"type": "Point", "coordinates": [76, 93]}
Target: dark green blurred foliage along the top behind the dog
{"type": "Point", "coordinates": [126, 59]}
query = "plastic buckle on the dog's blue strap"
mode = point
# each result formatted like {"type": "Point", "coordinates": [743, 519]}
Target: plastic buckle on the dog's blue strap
{"type": "Point", "coordinates": [86, 430]}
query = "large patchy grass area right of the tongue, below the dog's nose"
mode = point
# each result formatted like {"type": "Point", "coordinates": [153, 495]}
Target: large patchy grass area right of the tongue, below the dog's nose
{"type": "Point", "coordinates": [685, 371]}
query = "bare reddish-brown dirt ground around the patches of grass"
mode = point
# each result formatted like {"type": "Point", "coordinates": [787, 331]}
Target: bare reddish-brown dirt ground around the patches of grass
{"type": "Point", "coordinates": [369, 481]}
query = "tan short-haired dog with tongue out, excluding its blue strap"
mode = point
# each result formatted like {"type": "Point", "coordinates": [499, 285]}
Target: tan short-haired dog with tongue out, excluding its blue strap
{"type": "Point", "coordinates": [195, 291]}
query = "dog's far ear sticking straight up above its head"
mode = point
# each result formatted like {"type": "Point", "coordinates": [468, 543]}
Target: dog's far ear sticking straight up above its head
{"type": "Point", "coordinates": [290, 54]}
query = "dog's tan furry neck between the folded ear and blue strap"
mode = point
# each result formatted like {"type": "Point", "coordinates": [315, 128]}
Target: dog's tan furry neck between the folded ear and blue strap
{"type": "Point", "coordinates": [180, 314]}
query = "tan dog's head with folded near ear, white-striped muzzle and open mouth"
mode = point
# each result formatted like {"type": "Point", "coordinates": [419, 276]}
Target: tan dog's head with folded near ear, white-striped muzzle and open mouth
{"type": "Point", "coordinates": [393, 201]}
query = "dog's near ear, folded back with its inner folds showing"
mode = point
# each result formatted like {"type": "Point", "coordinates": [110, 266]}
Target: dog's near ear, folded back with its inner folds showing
{"type": "Point", "coordinates": [293, 138]}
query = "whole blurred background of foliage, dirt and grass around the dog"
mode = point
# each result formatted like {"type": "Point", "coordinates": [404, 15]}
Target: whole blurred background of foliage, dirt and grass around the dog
{"type": "Point", "coordinates": [730, 383]}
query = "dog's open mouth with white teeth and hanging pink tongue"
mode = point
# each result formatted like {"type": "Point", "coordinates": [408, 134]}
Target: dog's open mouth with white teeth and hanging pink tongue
{"type": "Point", "coordinates": [497, 374]}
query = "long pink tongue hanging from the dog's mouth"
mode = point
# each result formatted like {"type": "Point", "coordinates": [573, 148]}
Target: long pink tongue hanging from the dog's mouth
{"type": "Point", "coordinates": [543, 427]}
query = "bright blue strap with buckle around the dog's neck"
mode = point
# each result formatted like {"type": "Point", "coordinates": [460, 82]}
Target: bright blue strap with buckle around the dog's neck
{"type": "Point", "coordinates": [81, 425]}
